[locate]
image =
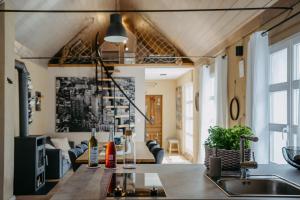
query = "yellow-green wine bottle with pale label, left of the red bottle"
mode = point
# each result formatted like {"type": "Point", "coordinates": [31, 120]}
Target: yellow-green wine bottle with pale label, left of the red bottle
{"type": "Point", "coordinates": [93, 150]}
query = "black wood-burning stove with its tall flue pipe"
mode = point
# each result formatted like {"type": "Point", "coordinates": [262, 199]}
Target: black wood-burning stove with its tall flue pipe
{"type": "Point", "coordinates": [29, 158]}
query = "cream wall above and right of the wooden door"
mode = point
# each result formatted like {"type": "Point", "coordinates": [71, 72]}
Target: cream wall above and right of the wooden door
{"type": "Point", "coordinates": [166, 88]}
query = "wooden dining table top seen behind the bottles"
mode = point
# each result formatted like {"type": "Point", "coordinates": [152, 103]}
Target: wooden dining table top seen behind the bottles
{"type": "Point", "coordinates": [143, 156]}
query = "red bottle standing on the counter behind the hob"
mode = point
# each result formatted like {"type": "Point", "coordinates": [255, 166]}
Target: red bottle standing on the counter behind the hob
{"type": "Point", "coordinates": [110, 154]}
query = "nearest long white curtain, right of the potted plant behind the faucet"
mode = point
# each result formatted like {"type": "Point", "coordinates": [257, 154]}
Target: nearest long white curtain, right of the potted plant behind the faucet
{"type": "Point", "coordinates": [257, 101]}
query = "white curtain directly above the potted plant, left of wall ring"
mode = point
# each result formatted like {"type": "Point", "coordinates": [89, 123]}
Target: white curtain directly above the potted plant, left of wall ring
{"type": "Point", "coordinates": [221, 91]}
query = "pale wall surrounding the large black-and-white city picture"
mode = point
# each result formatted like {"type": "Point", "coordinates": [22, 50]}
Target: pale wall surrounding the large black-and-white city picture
{"type": "Point", "coordinates": [137, 72]}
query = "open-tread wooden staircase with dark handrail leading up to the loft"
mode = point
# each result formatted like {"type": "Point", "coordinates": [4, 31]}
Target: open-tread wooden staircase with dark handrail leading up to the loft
{"type": "Point", "coordinates": [117, 105]}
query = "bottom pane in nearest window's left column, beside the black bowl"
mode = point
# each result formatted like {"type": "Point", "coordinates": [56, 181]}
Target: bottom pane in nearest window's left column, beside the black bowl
{"type": "Point", "coordinates": [278, 140]}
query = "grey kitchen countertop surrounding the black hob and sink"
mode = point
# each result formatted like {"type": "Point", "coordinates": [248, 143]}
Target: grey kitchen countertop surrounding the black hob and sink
{"type": "Point", "coordinates": [180, 181]}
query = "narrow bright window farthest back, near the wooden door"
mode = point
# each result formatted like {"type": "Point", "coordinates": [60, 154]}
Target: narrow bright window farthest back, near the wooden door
{"type": "Point", "coordinates": [188, 118]}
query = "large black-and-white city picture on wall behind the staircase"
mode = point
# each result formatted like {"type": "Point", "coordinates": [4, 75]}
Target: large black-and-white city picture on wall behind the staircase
{"type": "Point", "coordinates": [78, 109]}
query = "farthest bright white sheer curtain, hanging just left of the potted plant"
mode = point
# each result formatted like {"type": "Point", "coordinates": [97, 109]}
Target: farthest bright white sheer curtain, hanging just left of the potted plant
{"type": "Point", "coordinates": [208, 107]}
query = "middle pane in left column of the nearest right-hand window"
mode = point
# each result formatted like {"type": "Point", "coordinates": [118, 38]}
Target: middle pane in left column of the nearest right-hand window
{"type": "Point", "coordinates": [278, 107]}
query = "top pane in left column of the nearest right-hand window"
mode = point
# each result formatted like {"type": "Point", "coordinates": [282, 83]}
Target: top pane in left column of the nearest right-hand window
{"type": "Point", "coordinates": [278, 67]}
